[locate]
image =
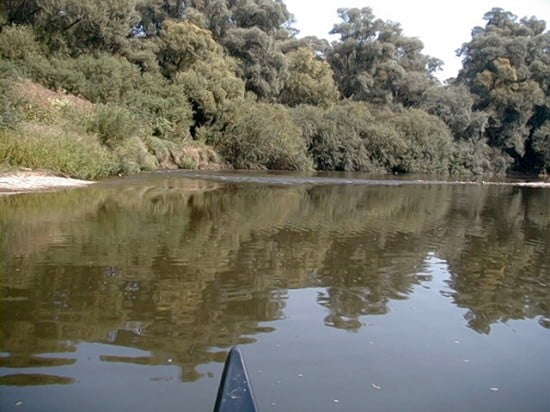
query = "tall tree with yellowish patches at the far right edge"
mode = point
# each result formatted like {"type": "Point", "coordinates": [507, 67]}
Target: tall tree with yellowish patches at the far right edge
{"type": "Point", "coordinates": [506, 65]}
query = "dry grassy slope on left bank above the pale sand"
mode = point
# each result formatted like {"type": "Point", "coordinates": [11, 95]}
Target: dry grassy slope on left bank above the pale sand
{"type": "Point", "coordinates": [70, 135]}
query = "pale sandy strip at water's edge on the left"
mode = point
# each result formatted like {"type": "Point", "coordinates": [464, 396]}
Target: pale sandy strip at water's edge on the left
{"type": "Point", "coordinates": [32, 181]}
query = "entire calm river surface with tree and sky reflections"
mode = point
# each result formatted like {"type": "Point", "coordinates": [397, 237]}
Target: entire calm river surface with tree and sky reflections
{"type": "Point", "coordinates": [376, 296]}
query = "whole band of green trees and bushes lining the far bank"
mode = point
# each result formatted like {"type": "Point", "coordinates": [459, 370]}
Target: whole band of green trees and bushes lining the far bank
{"type": "Point", "coordinates": [160, 78]}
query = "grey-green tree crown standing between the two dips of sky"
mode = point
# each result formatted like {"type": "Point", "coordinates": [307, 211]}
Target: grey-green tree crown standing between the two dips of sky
{"type": "Point", "coordinates": [373, 58]}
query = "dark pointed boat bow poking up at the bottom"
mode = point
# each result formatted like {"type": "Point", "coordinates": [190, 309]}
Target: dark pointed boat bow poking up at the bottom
{"type": "Point", "coordinates": [235, 393]}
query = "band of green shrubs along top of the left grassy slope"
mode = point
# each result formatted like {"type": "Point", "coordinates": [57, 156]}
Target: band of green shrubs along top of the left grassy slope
{"type": "Point", "coordinates": [160, 104]}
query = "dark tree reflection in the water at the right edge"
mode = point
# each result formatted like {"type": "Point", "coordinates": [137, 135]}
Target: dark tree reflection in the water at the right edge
{"type": "Point", "coordinates": [500, 266]}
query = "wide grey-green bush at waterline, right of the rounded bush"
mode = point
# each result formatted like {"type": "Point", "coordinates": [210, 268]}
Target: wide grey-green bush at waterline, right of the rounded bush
{"type": "Point", "coordinates": [355, 136]}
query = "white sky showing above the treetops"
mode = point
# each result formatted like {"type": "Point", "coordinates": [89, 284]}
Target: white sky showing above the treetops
{"type": "Point", "coordinates": [441, 25]}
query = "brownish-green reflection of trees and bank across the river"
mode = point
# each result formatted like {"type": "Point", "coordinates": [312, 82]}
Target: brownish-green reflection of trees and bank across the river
{"type": "Point", "coordinates": [185, 275]}
